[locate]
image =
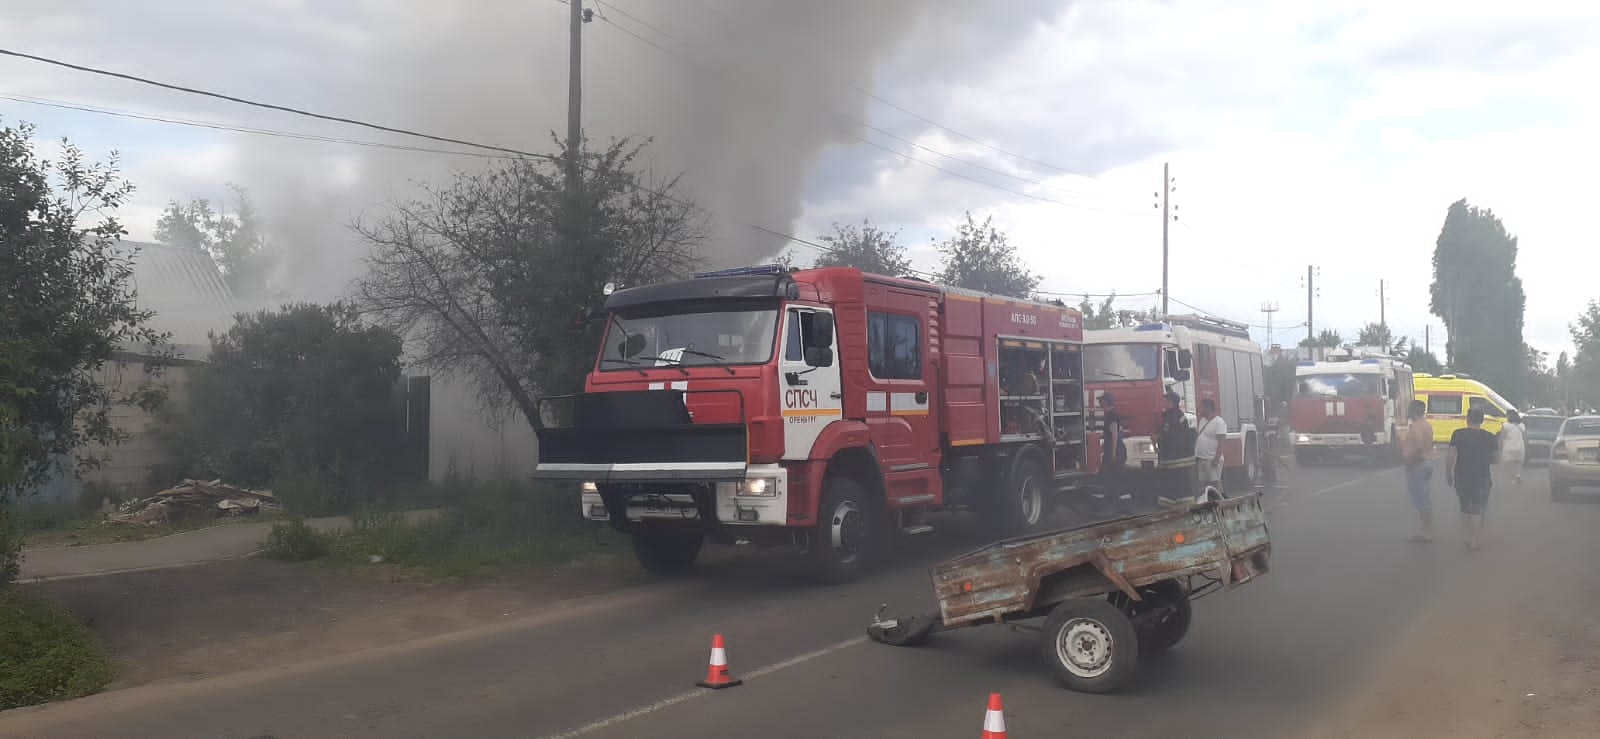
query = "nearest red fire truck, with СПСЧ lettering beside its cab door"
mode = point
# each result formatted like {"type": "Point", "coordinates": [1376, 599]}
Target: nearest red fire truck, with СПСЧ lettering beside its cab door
{"type": "Point", "coordinates": [826, 409]}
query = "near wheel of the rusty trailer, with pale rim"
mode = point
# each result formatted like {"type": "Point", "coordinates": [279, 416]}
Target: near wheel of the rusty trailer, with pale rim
{"type": "Point", "coordinates": [1090, 645]}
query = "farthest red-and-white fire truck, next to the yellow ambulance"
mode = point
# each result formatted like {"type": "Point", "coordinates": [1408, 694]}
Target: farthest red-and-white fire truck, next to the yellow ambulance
{"type": "Point", "coordinates": [1351, 404]}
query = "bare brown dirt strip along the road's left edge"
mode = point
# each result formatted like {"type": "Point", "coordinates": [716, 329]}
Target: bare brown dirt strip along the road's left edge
{"type": "Point", "coordinates": [212, 620]}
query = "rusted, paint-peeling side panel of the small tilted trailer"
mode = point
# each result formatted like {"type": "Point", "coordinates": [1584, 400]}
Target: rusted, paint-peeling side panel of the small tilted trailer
{"type": "Point", "coordinates": [1020, 578]}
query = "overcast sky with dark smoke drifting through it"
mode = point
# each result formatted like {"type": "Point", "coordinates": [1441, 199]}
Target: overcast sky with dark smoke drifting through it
{"type": "Point", "coordinates": [1297, 135]}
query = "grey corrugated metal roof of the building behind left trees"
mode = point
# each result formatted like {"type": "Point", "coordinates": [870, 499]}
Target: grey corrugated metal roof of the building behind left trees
{"type": "Point", "coordinates": [186, 290]}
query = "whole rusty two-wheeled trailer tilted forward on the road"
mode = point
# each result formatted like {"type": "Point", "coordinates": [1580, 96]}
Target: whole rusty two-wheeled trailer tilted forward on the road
{"type": "Point", "coordinates": [1108, 591]}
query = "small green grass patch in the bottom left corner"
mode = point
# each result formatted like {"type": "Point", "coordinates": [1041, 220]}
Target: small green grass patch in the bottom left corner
{"type": "Point", "coordinates": [46, 655]}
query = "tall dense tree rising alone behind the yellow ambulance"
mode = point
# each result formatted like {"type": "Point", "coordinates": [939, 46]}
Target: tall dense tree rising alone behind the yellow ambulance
{"type": "Point", "coordinates": [1479, 297]}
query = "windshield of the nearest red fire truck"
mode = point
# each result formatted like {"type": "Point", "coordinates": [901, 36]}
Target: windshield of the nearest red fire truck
{"type": "Point", "coordinates": [690, 338]}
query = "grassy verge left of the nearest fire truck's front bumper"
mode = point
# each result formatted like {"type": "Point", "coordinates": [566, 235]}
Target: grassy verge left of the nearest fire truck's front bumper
{"type": "Point", "coordinates": [482, 530]}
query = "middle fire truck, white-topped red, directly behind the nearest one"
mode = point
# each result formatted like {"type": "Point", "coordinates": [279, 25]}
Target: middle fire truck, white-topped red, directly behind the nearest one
{"type": "Point", "coordinates": [1196, 358]}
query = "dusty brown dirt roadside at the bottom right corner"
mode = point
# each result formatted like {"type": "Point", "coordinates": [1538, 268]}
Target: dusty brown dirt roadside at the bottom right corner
{"type": "Point", "coordinates": [1510, 649]}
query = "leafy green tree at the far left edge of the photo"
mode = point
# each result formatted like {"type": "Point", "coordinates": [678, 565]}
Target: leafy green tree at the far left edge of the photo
{"type": "Point", "coordinates": [70, 305]}
